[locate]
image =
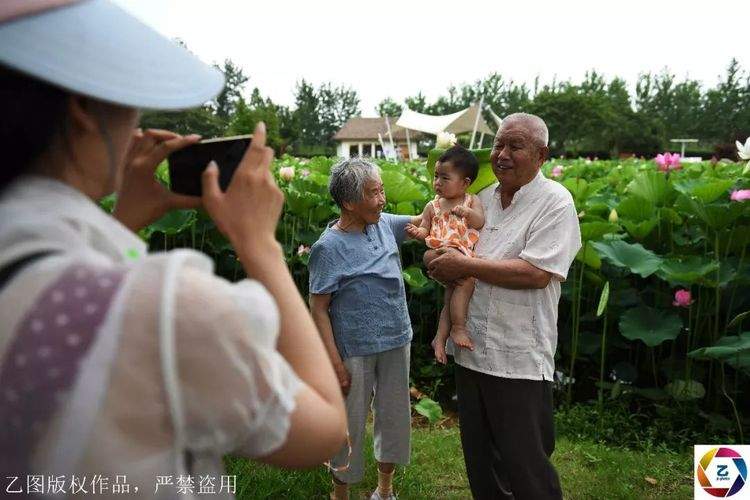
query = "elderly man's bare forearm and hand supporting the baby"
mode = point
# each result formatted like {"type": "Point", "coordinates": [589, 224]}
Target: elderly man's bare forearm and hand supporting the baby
{"type": "Point", "coordinates": [508, 273]}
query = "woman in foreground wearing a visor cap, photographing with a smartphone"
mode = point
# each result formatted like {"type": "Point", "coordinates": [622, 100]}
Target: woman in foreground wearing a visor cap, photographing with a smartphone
{"type": "Point", "coordinates": [114, 362]}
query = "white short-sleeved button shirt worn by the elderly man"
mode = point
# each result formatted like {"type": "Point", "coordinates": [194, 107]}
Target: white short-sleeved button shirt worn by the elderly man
{"type": "Point", "coordinates": [515, 331]}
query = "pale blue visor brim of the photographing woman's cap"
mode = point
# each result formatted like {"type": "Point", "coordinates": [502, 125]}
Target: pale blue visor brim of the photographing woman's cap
{"type": "Point", "coordinates": [96, 49]}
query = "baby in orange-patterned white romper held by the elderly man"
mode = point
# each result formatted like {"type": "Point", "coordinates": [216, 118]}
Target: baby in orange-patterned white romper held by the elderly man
{"type": "Point", "coordinates": [452, 220]}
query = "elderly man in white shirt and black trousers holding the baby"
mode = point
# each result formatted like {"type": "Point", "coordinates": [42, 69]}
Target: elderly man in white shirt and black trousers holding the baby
{"type": "Point", "coordinates": [504, 385]}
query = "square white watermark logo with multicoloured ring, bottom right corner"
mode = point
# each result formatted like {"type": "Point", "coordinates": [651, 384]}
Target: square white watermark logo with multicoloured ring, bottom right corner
{"type": "Point", "coordinates": [721, 471]}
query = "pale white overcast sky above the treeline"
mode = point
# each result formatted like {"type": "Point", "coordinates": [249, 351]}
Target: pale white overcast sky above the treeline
{"type": "Point", "coordinates": [397, 48]}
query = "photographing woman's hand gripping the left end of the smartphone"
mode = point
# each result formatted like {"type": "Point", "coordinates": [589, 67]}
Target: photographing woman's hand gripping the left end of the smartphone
{"type": "Point", "coordinates": [141, 198]}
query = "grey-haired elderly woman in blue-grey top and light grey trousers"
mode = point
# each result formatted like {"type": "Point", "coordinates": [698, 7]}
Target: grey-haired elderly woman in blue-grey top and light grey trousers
{"type": "Point", "coordinates": [358, 302]}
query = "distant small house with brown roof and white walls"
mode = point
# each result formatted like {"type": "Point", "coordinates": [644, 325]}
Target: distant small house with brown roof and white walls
{"type": "Point", "coordinates": [359, 137]}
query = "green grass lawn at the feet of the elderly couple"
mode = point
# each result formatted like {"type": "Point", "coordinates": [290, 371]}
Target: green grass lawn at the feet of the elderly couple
{"type": "Point", "coordinates": [587, 470]}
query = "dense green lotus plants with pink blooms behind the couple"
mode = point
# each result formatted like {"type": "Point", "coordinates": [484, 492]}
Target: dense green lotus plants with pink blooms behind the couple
{"type": "Point", "coordinates": [654, 313]}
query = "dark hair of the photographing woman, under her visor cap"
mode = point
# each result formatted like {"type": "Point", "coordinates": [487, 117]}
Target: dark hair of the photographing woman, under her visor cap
{"type": "Point", "coordinates": [33, 112]}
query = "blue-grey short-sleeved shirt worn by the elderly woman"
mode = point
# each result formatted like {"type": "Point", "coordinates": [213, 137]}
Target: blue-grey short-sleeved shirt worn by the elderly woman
{"type": "Point", "coordinates": [362, 272]}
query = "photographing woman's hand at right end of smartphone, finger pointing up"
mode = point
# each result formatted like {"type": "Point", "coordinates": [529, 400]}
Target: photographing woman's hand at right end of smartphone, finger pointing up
{"type": "Point", "coordinates": [248, 212]}
